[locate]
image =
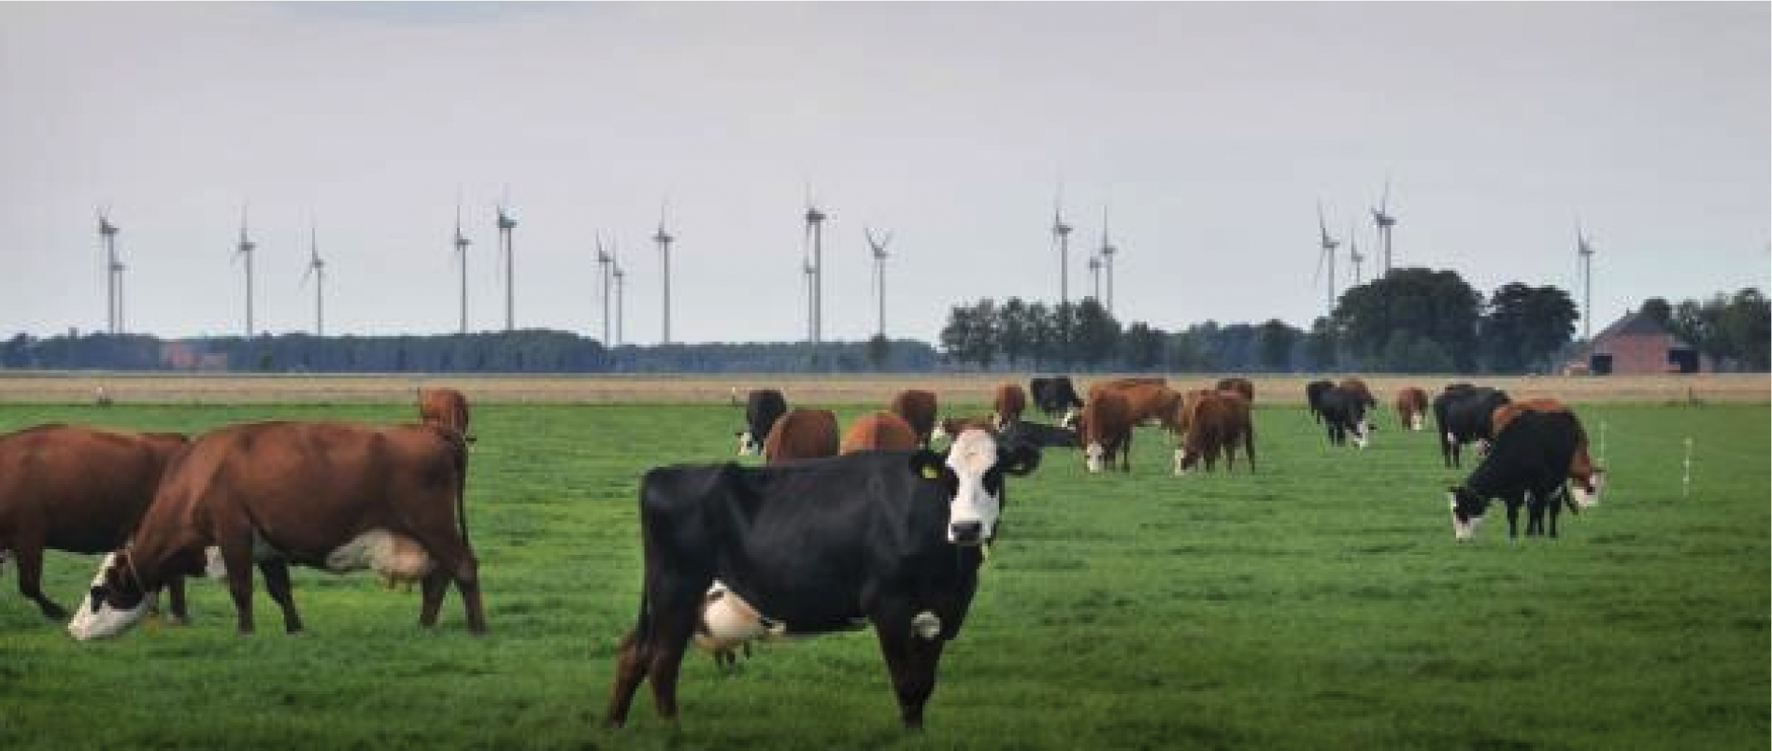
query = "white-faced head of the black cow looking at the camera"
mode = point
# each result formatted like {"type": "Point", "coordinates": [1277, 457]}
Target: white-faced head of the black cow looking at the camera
{"type": "Point", "coordinates": [972, 476]}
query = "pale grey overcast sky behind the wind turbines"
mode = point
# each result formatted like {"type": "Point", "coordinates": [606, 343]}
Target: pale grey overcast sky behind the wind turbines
{"type": "Point", "coordinates": [1209, 130]}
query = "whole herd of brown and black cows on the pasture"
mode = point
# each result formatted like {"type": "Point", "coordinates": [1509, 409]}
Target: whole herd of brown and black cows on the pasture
{"type": "Point", "coordinates": [835, 530]}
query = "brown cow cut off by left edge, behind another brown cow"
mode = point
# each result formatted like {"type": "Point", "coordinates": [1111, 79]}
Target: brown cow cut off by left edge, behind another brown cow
{"type": "Point", "coordinates": [77, 490]}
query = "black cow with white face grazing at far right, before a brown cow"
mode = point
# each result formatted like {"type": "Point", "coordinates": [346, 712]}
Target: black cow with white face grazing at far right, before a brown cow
{"type": "Point", "coordinates": [1528, 463]}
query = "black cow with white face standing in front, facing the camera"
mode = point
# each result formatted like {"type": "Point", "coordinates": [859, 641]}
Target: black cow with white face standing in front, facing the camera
{"type": "Point", "coordinates": [890, 539]}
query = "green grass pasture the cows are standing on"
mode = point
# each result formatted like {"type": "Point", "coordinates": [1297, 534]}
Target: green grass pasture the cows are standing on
{"type": "Point", "coordinates": [1319, 603]}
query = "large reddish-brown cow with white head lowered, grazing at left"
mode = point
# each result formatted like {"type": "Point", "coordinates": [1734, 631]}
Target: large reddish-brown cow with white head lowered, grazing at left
{"type": "Point", "coordinates": [327, 495]}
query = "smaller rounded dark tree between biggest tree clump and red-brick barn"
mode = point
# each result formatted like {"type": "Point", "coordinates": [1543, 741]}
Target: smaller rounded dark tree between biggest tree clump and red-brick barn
{"type": "Point", "coordinates": [1527, 327]}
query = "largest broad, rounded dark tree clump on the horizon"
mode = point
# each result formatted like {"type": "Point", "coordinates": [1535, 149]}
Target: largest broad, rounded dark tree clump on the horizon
{"type": "Point", "coordinates": [1420, 304]}
